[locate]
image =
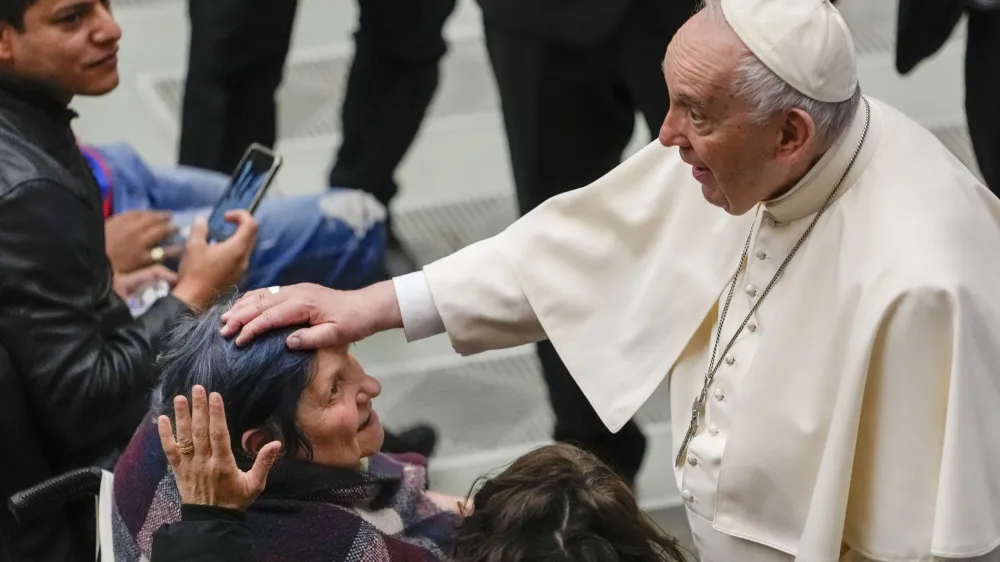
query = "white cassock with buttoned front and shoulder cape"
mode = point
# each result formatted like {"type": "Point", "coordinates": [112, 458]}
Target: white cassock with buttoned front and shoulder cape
{"type": "Point", "coordinates": [857, 417]}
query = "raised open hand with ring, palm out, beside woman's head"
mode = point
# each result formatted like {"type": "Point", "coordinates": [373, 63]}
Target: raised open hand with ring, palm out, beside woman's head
{"type": "Point", "coordinates": [202, 456]}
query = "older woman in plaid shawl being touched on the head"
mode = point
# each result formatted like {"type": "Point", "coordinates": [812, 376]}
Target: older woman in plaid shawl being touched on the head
{"type": "Point", "coordinates": [331, 495]}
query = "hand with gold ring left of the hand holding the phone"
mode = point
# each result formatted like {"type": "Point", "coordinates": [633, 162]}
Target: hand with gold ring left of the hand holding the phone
{"type": "Point", "coordinates": [131, 237]}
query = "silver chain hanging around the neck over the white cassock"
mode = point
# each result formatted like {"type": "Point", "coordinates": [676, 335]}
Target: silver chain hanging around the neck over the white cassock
{"type": "Point", "coordinates": [699, 402]}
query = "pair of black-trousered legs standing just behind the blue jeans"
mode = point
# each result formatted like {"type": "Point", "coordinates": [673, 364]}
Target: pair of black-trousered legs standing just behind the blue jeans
{"type": "Point", "coordinates": [236, 61]}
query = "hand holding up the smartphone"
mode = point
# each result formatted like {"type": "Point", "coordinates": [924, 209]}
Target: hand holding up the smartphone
{"type": "Point", "coordinates": [207, 270]}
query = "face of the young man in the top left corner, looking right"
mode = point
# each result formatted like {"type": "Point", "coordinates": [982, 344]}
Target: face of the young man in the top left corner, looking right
{"type": "Point", "coordinates": [68, 47]}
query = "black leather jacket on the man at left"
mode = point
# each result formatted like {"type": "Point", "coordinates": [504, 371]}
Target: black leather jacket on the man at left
{"type": "Point", "coordinates": [86, 365]}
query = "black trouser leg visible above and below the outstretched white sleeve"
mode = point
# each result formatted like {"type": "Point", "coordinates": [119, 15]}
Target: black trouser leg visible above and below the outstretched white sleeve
{"type": "Point", "coordinates": [568, 117]}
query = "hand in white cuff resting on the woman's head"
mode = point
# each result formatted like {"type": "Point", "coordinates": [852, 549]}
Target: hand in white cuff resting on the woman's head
{"type": "Point", "coordinates": [336, 317]}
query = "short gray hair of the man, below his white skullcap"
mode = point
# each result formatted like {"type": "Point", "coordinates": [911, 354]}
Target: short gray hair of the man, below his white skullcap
{"type": "Point", "coordinates": [769, 94]}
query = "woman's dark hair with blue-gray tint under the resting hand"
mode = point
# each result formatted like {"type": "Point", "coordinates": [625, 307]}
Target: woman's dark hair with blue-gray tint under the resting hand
{"type": "Point", "coordinates": [260, 383]}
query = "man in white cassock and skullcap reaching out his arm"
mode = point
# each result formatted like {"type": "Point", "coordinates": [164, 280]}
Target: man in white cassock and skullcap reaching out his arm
{"type": "Point", "coordinates": [812, 272]}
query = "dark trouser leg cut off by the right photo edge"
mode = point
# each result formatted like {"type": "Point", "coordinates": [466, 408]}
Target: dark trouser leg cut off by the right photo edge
{"type": "Point", "coordinates": [982, 93]}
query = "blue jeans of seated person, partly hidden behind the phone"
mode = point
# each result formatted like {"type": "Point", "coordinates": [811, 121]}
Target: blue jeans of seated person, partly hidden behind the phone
{"type": "Point", "coordinates": [336, 239]}
